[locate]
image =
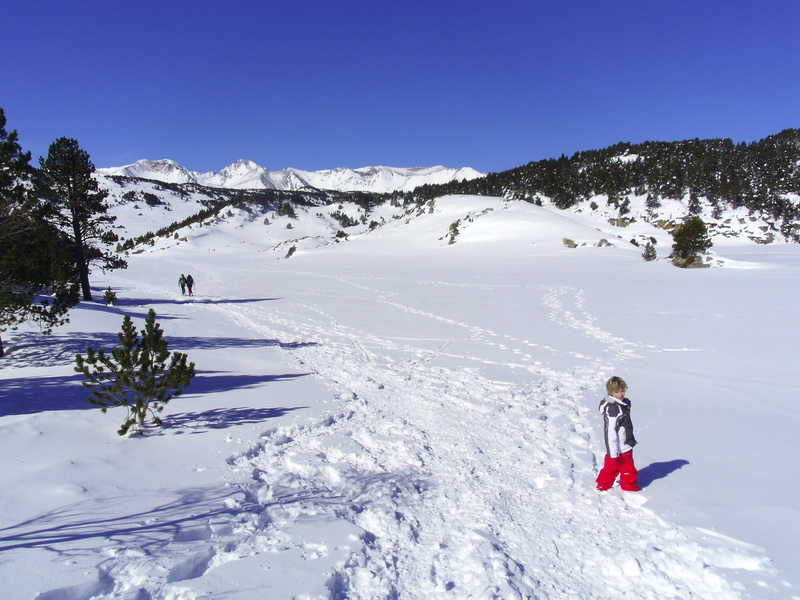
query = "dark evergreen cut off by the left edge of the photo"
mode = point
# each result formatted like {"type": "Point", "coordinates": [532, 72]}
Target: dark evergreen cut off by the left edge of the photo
{"type": "Point", "coordinates": [33, 275]}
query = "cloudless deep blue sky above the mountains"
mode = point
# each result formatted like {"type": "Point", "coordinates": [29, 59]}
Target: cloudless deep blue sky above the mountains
{"type": "Point", "coordinates": [319, 84]}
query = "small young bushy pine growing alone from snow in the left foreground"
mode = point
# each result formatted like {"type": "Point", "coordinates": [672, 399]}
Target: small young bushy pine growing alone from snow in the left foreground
{"type": "Point", "coordinates": [136, 374]}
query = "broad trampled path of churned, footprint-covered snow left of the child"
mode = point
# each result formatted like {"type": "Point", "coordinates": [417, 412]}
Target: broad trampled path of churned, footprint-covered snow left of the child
{"type": "Point", "coordinates": [412, 455]}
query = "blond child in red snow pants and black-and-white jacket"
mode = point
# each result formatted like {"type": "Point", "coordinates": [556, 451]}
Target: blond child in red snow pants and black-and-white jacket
{"type": "Point", "coordinates": [618, 434]}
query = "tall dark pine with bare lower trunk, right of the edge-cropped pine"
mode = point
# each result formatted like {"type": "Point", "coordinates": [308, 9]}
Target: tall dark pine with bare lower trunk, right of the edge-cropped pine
{"type": "Point", "coordinates": [77, 206]}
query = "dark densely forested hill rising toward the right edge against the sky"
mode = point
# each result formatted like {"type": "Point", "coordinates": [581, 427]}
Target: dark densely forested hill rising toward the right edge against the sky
{"type": "Point", "coordinates": [762, 176]}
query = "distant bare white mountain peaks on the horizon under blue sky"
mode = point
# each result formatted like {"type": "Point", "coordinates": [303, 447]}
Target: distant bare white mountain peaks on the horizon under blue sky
{"type": "Point", "coordinates": [245, 174]}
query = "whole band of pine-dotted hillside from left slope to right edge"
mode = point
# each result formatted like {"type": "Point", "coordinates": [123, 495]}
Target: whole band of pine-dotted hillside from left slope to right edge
{"type": "Point", "coordinates": [704, 176]}
